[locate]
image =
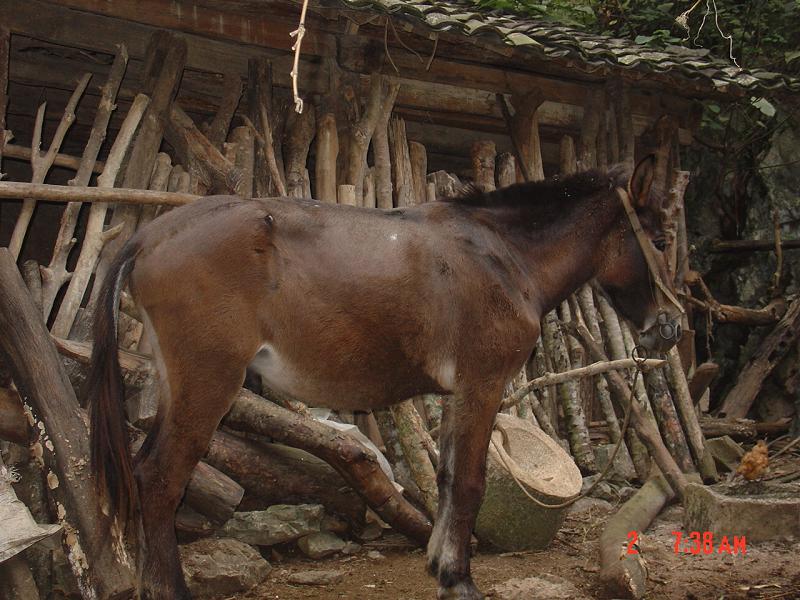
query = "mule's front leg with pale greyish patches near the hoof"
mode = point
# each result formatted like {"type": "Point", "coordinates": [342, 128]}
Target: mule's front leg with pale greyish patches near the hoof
{"type": "Point", "coordinates": [467, 423]}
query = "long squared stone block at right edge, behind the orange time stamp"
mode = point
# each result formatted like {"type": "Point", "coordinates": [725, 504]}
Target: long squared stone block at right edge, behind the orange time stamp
{"type": "Point", "coordinates": [757, 511]}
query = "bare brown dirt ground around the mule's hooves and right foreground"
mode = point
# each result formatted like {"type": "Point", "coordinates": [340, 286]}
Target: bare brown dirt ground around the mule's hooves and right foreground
{"type": "Point", "coordinates": [766, 570]}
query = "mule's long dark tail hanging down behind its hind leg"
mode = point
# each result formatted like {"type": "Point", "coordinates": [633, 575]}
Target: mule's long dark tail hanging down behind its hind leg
{"type": "Point", "coordinates": [110, 448]}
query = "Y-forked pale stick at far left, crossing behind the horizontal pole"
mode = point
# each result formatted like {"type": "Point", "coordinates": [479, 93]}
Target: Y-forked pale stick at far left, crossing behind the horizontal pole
{"type": "Point", "coordinates": [41, 163]}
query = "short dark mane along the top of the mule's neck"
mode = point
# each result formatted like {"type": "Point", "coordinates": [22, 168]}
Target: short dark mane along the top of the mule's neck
{"type": "Point", "coordinates": [554, 193]}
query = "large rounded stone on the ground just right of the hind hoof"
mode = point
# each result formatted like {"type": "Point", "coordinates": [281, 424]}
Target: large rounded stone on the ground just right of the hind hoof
{"type": "Point", "coordinates": [223, 566]}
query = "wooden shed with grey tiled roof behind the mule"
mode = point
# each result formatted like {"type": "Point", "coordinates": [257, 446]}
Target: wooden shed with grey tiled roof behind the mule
{"type": "Point", "coordinates": [403, 102]}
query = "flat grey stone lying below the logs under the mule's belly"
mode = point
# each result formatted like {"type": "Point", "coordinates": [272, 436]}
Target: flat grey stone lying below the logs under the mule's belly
{"type": "Point", "coordinates": [278, 524]}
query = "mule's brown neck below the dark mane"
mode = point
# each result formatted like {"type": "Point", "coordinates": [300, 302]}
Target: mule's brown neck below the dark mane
{"type": "Point", "coordinates": [562, 255]}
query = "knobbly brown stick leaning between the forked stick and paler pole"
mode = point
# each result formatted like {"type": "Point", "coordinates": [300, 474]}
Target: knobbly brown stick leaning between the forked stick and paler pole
{"type": "Point", "coordinates": [55, 274]}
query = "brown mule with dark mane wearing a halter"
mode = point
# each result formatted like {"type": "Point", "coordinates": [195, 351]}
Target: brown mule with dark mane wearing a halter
{"type": "Point", "coordinates": [357, 309]}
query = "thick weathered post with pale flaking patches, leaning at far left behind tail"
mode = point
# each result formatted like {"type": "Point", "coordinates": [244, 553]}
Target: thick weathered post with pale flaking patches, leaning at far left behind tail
{"type": "Point", "coordinates": [98, 561]}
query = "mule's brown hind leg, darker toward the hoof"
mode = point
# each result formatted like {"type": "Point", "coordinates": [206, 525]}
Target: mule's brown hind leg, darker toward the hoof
{"type": "Point", "coordinates": [200, 395]}
